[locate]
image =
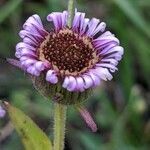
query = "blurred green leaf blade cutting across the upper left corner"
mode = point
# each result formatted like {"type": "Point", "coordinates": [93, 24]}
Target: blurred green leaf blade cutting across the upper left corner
{"type": "Point", "coordinates": [6, 10]}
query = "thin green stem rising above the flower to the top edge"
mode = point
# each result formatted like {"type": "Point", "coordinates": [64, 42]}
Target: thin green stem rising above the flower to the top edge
{"type": "Point", "coordinates": [71, 12]}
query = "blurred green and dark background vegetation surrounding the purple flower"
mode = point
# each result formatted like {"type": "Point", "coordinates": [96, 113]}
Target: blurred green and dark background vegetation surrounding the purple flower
{"type": "Point", "coordinates": [121, 108]}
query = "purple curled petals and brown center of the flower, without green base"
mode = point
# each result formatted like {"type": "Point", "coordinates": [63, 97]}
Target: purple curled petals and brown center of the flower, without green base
{"type": "Point", "coordinates": [77, 58]}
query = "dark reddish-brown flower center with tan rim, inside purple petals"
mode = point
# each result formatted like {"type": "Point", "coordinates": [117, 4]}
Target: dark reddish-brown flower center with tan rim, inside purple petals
{"type": "Point", "coordinates": [68, 53]}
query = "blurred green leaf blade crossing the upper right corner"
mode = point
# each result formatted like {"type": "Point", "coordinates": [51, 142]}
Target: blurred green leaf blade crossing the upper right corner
{"type": "Point", "coordinates": [133, 13]}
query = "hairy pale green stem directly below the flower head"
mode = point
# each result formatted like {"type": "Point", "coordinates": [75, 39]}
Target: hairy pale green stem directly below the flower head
{"type": "Point", "coordinates": [59, 126]}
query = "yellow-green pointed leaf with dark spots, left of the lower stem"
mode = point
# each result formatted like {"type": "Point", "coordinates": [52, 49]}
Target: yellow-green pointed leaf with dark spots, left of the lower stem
{"type": "Point", "coordinates": [32, 136]}
